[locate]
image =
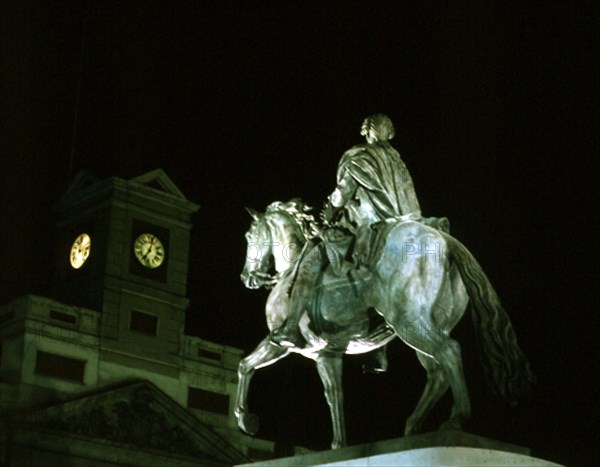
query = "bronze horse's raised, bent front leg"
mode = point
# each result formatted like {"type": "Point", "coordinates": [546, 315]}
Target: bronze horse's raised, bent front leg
{"type": "Point", "coordinates": [265, 354]}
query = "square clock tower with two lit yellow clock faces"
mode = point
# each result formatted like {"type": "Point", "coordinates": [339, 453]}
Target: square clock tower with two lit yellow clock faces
{"type": "Point", "coordinates": [122, 249]}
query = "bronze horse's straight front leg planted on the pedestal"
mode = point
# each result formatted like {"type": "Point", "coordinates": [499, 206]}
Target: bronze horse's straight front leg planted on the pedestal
{"type": "Point", "coordinates": [330, 371]}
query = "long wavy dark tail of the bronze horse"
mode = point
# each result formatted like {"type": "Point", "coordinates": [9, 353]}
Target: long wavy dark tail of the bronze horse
{"type": "Point", "coordinates": [505, 365]}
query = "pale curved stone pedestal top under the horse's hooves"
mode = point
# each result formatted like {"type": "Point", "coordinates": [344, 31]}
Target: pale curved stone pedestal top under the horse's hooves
{"type": "Point", "coordinates": [441, 448]}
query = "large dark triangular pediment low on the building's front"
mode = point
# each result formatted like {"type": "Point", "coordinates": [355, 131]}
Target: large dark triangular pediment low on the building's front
{"type": "Point", "coordinates": [139, 415]}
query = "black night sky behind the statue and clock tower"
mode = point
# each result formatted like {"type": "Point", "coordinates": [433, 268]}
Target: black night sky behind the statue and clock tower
{"type": "Point", "coordinates": [243, 103]}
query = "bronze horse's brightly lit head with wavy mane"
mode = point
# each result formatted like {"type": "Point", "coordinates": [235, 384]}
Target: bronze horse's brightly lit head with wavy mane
{"type": "Point", "coordinates": [274, 242]}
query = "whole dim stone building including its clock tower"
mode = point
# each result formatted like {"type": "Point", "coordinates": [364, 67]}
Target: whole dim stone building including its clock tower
{"type": "Point", "coordinates": [109, 348]}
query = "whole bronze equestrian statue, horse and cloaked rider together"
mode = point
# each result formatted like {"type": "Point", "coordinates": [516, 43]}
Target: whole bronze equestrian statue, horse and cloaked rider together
{"type": "Point", "coordinates": [372, 270]}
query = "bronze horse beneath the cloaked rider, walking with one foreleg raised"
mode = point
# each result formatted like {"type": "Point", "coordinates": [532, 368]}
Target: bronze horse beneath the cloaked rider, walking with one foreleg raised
{"type": "Point", "coordinates": [422, 280]}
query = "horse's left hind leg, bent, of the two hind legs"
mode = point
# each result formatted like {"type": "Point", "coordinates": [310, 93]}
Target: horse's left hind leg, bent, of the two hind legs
{"type": "Point", "coordinates": [437, 385]}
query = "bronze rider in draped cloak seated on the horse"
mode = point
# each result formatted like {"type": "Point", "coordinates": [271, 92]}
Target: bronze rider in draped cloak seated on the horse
{"type": "Point", "coordinates": [373, 185]}
